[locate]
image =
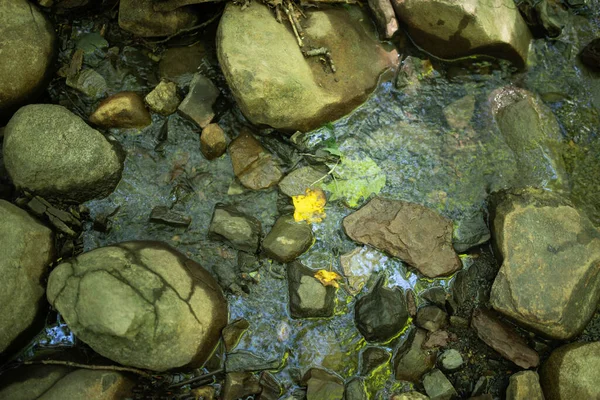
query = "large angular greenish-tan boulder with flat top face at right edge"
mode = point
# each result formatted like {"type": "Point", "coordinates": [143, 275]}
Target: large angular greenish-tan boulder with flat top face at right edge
{"type": "Point", "coordinates": [549, 279]}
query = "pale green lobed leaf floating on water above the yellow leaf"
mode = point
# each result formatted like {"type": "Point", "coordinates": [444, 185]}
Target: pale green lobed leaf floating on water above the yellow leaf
{"type": "Point", "coordinates": [355, 179]}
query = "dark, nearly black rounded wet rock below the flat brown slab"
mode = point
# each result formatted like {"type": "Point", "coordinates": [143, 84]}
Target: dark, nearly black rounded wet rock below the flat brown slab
{"type": "Point", "coordinates": [381, 314]}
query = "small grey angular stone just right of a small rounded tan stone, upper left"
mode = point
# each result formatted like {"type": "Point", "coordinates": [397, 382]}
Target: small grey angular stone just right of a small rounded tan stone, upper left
{"type": "Point", "coordinates": [197, 105]}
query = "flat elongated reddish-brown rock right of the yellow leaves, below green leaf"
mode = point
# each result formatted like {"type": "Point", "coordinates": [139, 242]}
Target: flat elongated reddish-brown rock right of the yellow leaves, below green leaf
{"type": "Point", "coordinates": [389, 225]}
